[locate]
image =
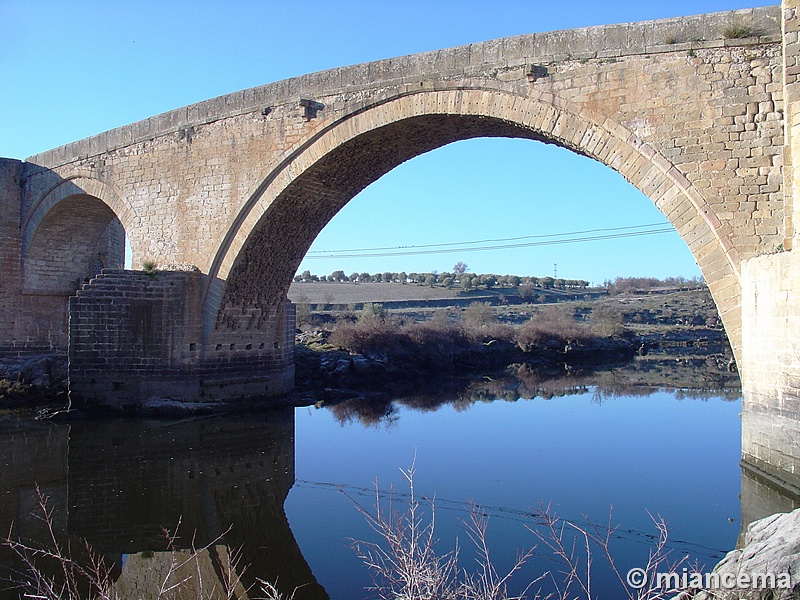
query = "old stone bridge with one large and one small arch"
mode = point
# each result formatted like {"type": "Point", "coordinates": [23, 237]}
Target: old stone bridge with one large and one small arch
{"type": "Point", "coordinates": [225, 197]}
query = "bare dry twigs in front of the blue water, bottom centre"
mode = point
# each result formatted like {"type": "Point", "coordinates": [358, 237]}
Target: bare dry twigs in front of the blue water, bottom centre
{"type": "Point", "coordinates": [405, 564]}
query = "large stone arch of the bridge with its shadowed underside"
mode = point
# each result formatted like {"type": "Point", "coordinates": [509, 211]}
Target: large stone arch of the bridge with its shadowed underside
{"type": "Point", "coordinates": [276, 226]}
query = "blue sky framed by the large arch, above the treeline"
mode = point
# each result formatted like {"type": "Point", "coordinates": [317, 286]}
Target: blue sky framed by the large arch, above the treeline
{"type": "Point", "coordinates": [502, 206]}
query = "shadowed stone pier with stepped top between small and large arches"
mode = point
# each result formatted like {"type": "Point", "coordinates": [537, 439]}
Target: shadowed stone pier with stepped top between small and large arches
{"type": "Point", "coordinates": [136, 336]}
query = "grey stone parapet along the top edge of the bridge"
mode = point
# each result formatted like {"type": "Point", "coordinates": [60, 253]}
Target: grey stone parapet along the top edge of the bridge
{"type": "Point", "coordinates": [608, 42]}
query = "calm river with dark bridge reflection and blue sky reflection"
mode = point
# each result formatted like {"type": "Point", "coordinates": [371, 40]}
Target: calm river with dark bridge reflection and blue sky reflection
{"type": "Point", "coordinates": [283, 486]}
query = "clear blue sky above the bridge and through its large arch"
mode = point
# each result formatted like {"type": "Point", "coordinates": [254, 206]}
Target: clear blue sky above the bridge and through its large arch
{"type": "Point", "coordinates": [74, 69]}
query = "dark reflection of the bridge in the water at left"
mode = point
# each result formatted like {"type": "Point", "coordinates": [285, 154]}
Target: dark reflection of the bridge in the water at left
{"type": "Point", "coordinates": [118, 484]}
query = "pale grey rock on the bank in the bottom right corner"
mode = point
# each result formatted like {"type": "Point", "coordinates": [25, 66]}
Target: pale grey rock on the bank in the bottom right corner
{"type": "Point", "coordinates": [771, 547]}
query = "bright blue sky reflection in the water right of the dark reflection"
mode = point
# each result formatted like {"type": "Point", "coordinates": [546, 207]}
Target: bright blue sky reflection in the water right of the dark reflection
{"type": "Point", "coordinates": [675, 458]}
